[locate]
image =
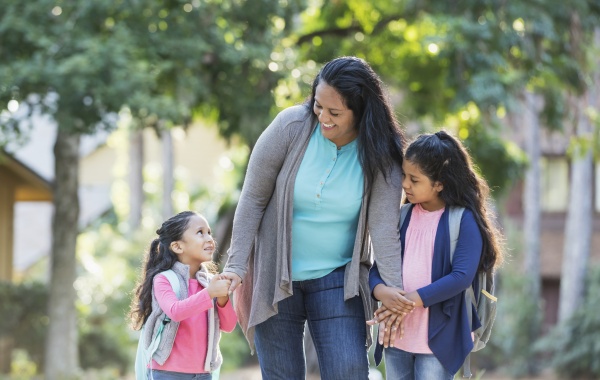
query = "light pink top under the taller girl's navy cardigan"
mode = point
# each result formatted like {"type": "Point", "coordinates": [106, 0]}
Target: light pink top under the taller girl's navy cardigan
{"type": "Point", "coordinates": [416, 272]}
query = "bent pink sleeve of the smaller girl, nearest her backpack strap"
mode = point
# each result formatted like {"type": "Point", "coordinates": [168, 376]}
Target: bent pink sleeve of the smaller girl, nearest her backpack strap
{"type": "Point", "coordinates": [176, 309]}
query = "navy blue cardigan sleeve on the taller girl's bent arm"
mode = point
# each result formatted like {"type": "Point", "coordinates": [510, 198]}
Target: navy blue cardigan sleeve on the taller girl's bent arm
{"type": "Point", "coordinates": [464, 264]}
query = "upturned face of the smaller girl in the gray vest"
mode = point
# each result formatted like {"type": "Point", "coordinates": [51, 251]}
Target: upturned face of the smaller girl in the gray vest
{"type": "Point", "coordinates": [196, 245]}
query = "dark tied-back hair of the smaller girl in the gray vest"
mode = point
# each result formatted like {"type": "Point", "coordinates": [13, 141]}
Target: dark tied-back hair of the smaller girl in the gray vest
{"type": "Point", "coordinates": [159, 258]}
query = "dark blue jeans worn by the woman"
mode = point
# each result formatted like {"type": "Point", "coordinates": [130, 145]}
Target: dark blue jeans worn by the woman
{"type": "Point", "coordinates": [338, 330]}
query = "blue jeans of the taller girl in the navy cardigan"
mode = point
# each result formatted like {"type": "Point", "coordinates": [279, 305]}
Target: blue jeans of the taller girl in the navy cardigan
{"type": "Point", "coordinates": [402, 365]}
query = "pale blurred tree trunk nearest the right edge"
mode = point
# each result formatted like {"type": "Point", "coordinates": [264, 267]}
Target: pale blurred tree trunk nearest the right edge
{"type": "Point", "coordinates": [578, 229]}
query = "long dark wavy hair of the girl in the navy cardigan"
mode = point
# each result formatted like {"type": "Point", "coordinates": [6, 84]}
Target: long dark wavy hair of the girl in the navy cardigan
{"type": "Point", "coordinates": [443, 158]}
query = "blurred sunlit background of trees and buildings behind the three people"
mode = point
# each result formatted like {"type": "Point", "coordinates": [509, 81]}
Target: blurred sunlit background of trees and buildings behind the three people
{"type": "Point", "coordinates": [114, 115]}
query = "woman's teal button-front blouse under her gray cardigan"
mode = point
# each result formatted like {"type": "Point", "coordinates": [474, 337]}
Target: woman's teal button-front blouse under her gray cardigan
{"type": "Point", "coordinates": [328, 195]}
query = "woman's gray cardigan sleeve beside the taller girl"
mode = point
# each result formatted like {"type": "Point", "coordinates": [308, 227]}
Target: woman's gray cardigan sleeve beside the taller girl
{"type": "Point", "coordinates": [383, 218]}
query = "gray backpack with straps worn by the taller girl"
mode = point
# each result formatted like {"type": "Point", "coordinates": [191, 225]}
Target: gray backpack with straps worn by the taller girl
{"type": "Point", "coordinates": [485, 304]}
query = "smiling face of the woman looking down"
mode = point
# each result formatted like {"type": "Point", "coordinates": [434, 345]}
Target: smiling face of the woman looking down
{"type": "Point", "coordinates": [337, 121]}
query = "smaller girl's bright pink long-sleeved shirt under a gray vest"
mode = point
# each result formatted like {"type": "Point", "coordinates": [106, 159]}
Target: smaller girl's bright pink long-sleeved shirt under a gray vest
{"type": "Point", "coordinates": [189, 349]}
